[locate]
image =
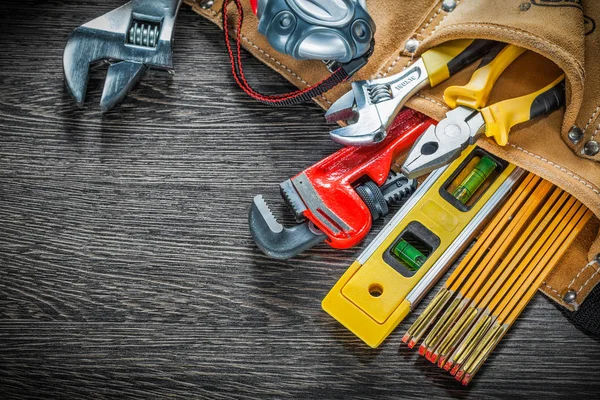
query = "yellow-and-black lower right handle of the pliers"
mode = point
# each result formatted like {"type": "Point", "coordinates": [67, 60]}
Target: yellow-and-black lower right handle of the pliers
{"type": "Point", "coordinates": [501, 117]}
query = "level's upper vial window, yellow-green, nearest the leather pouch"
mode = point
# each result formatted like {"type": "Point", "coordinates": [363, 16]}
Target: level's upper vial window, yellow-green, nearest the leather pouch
{"type": "Point", "coordinates": [472, 179]}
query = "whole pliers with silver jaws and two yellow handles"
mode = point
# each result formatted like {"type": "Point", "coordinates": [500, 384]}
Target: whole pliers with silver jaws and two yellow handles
{"type": "Point", "coordinates": [469, 119]}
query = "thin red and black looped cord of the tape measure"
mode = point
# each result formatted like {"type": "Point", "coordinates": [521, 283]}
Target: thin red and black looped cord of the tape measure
{"type": "Point", "coordinates": [298, 96]}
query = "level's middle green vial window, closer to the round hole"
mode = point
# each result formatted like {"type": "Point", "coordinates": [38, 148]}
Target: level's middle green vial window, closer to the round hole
{"type": "Point", "coordinates": [411, 249]}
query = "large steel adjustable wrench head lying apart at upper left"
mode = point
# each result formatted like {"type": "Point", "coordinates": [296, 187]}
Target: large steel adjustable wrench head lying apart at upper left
{"type": "Point", "coordinates": [133, 38]}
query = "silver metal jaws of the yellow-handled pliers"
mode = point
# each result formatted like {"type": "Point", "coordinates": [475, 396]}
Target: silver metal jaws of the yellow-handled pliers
{"type": "Point", "coordinates": [443, 143]}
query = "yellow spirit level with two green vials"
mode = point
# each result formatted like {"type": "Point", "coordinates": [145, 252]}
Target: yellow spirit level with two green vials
{"type": "Point", "coordinates": [420, 242]}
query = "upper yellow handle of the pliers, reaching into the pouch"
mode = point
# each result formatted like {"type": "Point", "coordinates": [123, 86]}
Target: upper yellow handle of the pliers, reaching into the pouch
{"type": "Point", "coordinates": [475, 93]}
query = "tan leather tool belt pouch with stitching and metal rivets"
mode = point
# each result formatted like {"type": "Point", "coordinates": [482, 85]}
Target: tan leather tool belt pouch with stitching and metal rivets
{"type": "Point", "coordinates": [561, 148]}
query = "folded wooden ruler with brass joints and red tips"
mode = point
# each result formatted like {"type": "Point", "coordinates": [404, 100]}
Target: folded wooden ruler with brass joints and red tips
{"type": "Point", "coordinates": [498, 277]}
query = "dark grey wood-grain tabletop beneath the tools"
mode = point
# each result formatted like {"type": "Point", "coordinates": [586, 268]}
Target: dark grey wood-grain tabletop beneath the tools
{"type": "Point", "coordinates": [126, 264]}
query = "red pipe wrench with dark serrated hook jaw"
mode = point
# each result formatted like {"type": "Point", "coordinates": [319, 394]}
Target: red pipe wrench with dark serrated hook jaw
{"type": "Point", "coordinates": [337, 199]}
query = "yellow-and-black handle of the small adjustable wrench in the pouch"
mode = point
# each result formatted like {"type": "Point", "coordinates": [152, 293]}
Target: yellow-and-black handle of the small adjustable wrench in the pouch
{"type": "Point", "coordinates": [446, 59]}
